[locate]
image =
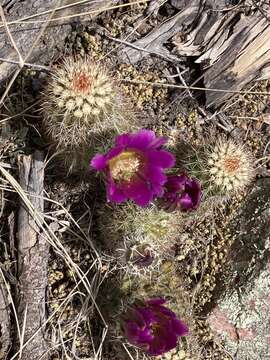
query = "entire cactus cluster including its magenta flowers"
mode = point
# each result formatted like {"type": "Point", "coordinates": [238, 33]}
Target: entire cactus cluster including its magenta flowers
{"type": "Point", "coordinates": [82, 101]}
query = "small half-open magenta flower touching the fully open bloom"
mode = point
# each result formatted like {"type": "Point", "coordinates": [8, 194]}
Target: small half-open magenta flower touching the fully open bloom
{"type": "Point", "coordinates": [182, 192]}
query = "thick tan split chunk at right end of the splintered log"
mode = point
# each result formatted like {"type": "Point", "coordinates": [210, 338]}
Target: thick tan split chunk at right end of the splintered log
{"type": "Point", "coordinates": [238, 53]}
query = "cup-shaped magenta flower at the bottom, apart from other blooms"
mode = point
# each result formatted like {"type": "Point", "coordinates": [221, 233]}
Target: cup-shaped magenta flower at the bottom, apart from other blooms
{"type": "Point", "coordinates": [153, 327]}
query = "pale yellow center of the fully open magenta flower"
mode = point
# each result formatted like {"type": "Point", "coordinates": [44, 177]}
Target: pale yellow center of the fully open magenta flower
{"type": "Point", "coordinates": [125, 165]}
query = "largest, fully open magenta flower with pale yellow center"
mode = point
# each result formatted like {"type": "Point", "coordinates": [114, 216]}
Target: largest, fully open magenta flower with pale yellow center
{"type": "Point", "coordinates": [134, 168]}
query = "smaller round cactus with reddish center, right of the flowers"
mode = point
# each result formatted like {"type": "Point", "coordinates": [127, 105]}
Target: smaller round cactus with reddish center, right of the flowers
{"type": "Point", "coordinates": [224, 167]}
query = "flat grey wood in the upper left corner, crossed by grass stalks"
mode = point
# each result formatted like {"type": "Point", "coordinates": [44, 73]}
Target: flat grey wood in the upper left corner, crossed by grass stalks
{"type": "Point", "coordinates": [27, 30]}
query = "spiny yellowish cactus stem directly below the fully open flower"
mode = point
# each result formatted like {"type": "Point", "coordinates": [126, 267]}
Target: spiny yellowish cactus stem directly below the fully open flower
{"type": "Point", "coordinates": [127, 226]}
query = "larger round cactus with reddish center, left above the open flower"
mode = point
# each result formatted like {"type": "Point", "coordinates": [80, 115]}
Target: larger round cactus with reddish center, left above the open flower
{"type": "Point", "coordinates": [82, 105]}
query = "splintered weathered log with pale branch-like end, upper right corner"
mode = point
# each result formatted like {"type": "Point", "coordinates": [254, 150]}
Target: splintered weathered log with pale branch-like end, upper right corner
{"type": "Point", "coordinates": [232, 47]}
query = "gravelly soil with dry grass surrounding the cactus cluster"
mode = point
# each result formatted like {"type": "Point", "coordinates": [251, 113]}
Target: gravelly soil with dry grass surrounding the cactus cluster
{"type": "Point", "coordinates": [86, 289]}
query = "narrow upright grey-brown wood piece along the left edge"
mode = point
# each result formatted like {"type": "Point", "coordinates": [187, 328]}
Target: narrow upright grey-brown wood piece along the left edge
{"type": "Point", "coordinates": [33, 252]}
